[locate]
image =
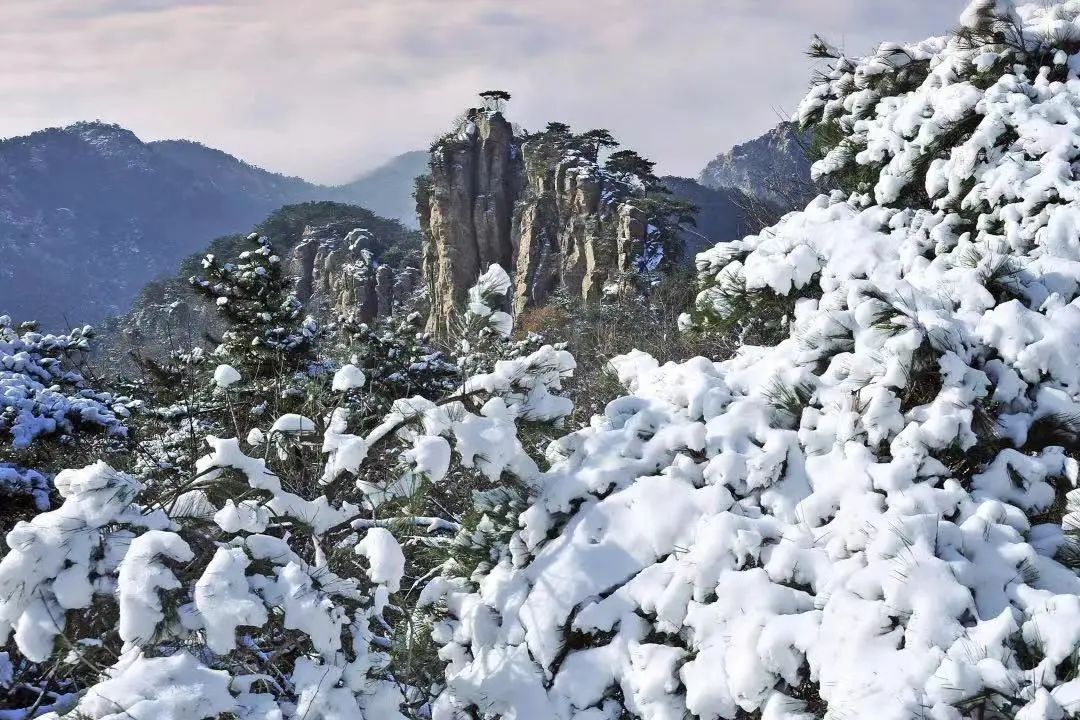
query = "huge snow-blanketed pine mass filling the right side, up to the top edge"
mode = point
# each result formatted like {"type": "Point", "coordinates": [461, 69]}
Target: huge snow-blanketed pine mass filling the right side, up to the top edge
{"type": "Point", "coordinates": [860, 515]}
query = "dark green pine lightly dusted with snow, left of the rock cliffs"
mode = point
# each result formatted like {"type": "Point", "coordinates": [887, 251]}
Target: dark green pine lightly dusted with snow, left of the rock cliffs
{"type": "Point", "coordinates": [268, 363]}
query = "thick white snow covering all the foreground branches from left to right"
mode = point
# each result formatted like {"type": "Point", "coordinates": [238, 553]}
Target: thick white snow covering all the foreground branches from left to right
{"type": "Point", "coordinates": [871, 514]}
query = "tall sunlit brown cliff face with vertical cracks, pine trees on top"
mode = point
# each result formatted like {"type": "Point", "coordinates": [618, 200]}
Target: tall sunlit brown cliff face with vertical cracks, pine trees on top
{"type": "Point", "coordinates": [493, 198]}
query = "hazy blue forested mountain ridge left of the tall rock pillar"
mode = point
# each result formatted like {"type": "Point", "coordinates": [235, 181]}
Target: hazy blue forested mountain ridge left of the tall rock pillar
{"type": "Point", "coordinates": [90, 213]}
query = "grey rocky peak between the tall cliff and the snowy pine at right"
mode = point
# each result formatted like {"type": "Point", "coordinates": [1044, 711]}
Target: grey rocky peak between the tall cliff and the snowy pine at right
{"type": "Point", "coordinates": [773, 169]}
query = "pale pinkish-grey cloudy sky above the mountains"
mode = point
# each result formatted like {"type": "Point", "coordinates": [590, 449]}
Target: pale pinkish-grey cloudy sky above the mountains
{"type": "Point", "coordinates": [328, 89]}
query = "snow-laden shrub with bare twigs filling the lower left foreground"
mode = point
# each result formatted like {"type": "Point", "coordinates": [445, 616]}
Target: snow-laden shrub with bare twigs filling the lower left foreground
{"type": "Point", "coordinates": [276, 578]}
